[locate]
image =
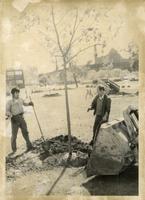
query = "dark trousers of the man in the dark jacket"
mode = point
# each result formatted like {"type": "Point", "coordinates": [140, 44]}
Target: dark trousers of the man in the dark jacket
{"type": "Point", "coordinates": [96, 127]}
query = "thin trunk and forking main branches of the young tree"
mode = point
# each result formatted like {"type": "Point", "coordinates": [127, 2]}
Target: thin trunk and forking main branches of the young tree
{"type": "Point", "coordinates": [67, 57]}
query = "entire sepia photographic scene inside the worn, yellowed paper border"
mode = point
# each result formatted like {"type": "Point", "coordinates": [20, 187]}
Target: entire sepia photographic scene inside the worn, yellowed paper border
{"type": "Point", "coordinates": [71, 99]}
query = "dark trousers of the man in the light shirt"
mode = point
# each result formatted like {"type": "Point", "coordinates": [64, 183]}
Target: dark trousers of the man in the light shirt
{"type": "Point", "coordinates": [19, 122]}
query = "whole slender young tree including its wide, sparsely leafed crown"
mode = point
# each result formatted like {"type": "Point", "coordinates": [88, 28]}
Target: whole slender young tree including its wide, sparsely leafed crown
{"type": "Point", "coordinates": [76, 31]}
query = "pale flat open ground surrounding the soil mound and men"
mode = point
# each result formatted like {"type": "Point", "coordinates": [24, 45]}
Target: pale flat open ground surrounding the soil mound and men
{"type": "Point", "coordinates": [52, 117]}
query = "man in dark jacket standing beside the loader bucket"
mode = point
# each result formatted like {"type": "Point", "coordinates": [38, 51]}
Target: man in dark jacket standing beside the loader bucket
{"type": "Point", "coordinates": [101, 105]}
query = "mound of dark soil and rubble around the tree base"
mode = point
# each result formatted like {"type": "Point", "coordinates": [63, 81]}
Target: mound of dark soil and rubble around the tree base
{"type": "Point", "coordinates": [47, 155]}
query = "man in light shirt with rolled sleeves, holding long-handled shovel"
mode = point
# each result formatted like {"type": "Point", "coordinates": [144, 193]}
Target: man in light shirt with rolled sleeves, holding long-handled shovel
{"type": "Point", "coordinates": [14, 110]}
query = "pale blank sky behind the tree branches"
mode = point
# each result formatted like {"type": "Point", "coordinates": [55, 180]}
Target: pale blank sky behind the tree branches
{"type": "Point", "coordinates": [26, 27]}
